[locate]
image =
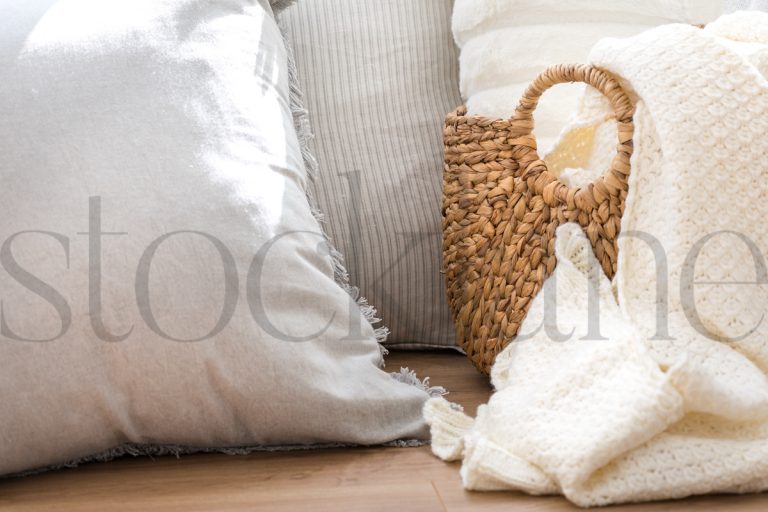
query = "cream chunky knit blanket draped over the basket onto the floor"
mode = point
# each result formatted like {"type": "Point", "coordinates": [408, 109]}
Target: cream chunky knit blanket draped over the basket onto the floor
{"type": "Point", "coordinates": [660, 390]}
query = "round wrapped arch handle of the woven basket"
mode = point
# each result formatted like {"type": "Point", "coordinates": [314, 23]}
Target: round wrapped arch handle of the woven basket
{"type": "Point", "coordinates": [522, 119]}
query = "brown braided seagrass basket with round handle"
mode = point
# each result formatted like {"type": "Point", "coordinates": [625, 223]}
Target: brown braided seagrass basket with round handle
{"type": "Point", "coordinates": [501, 207]}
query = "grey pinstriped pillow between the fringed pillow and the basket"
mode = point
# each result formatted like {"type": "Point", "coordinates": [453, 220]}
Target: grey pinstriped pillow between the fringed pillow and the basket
{"type": "Point", "coordinates": [378, 77]}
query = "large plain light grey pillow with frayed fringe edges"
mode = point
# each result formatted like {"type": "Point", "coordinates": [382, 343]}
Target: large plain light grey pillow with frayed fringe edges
{"type": "Point", "coordinates": [162, 278]}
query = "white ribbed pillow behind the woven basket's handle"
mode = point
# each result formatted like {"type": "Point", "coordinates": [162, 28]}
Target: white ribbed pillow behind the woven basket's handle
{"type": "Point", "coordinates": [506, 43]}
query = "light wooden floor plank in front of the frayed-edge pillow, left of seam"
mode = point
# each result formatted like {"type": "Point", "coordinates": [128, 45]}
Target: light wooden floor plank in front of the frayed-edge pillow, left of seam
{"type": "Point", "coordinates": [339, 479]}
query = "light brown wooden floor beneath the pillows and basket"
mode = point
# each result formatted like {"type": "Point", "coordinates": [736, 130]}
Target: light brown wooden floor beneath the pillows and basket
{"type": "Point", "coordinates": [391, 479]}
